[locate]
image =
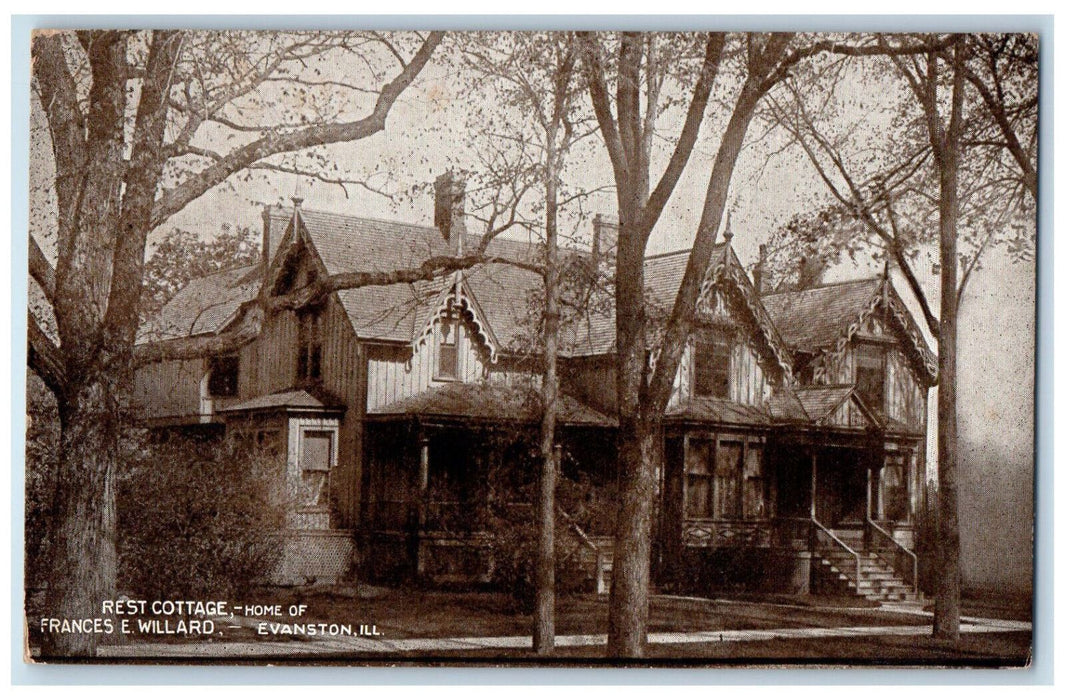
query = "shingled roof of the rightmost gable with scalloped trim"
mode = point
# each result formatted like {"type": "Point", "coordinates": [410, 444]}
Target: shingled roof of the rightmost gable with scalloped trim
{"type": "Point", "coordinates": [826, 318]}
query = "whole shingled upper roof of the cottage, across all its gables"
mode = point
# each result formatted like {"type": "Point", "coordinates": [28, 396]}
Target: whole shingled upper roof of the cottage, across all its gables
{"type": "Point", "coordinates": [506, 296]}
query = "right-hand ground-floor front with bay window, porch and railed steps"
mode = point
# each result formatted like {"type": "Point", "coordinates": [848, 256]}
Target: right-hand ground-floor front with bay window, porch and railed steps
{"type": "Point", "coordinates": [828, 511]}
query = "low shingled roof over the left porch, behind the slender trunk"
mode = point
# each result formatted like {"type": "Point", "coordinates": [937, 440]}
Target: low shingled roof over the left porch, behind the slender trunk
{"type": "Point", "coordinates": [486, 402]}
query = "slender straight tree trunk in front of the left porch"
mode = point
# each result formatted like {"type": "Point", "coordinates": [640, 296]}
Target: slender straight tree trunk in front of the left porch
{"type": "Point", "coordinates": [544, 630]}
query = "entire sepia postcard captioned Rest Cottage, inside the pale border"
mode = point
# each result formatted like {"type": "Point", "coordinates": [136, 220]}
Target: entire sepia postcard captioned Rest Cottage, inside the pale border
{"type": "Point", "coordinates": [513, 348]}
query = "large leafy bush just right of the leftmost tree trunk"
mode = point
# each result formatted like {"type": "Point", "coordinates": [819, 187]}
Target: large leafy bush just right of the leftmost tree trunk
{"type": "Point", "coordinates": [199, 519]}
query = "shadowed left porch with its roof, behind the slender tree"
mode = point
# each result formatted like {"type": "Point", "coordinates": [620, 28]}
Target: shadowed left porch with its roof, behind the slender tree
{"type": "Point", "coordinates": [451, 477]}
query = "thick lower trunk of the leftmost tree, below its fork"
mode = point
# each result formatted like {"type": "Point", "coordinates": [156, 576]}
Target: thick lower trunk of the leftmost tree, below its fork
{"type": "Point", "coordinates": [83, 557]}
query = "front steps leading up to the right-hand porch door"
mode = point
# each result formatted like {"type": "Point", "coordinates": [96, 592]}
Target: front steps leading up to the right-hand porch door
{"type": "Point", "coordinates": [879, 581]}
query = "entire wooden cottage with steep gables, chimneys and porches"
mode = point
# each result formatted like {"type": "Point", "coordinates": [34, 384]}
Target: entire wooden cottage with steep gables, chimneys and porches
{"type": "Point", "coordinates": [401, 416]}
